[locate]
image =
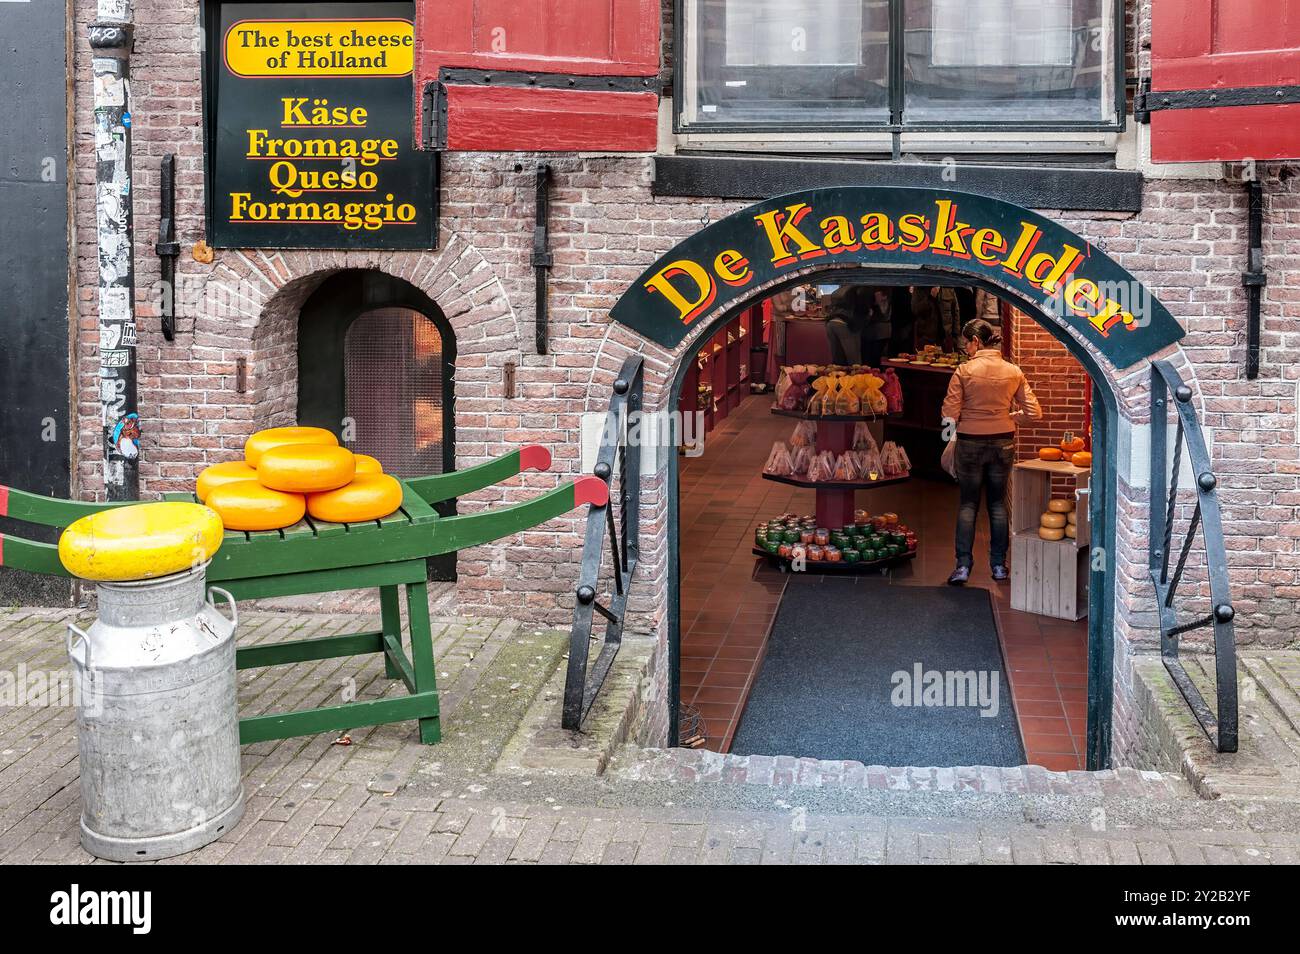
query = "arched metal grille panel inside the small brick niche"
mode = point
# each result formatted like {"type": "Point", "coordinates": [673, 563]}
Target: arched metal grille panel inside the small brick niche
{"type": "Point", "coordinates": [395, 391]}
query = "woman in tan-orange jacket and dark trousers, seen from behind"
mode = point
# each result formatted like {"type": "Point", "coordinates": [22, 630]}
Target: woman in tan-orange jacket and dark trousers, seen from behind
{"type": "Point", "coordinates": [987, 398]}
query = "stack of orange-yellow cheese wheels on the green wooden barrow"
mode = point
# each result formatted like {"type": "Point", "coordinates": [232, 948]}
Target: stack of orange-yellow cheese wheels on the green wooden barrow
{"type": "Point", "coordinates": [289, 472]}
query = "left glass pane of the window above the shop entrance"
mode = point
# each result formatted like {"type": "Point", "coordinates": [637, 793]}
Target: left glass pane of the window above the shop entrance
{"type": "Point", "coordinates": [796, 62]}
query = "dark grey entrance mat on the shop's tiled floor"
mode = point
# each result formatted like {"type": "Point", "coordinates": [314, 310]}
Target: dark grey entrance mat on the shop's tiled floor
{"type": "Point", "coordinates": [840, 679]}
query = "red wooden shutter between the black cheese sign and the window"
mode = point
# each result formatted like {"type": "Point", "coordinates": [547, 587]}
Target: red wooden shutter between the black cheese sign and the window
{"type": "Point", "coordinates": [541, 75]}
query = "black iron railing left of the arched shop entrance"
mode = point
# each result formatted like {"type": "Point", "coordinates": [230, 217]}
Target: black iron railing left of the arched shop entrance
{"type": "Point", "coordinates": [621, 453]}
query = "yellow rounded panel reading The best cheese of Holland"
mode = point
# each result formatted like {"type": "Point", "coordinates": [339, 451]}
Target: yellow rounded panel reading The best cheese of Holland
{"type": "Point", "coordinates": [320, 49]}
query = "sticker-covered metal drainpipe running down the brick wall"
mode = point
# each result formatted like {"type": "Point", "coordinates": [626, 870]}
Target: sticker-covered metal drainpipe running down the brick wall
{"type": "Point", "coordinates": [111, 46]}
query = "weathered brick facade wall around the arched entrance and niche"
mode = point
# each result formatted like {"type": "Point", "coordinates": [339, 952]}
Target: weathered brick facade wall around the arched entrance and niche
{"type": "Point", "coordinates": [1188, 245]}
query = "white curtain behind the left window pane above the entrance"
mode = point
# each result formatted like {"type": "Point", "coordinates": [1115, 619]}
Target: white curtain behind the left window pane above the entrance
{"type": "Point", "coordinates": [794, 33]}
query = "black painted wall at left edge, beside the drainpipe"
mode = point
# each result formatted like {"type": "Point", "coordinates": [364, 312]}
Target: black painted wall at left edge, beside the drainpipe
{"type": "Point", "coordinates": [34, 384]}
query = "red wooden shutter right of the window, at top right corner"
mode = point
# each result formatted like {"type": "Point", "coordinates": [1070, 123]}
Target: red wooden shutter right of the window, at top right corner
{"type": "Point", "coordinates": [1225, 45]}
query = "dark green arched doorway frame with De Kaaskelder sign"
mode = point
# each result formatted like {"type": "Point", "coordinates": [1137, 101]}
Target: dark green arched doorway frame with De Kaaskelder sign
{"type": "Point", "coordinates": [1102, 315]}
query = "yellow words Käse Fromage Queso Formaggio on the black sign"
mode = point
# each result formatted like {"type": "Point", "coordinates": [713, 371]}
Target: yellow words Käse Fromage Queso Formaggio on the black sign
{"type": "Point", "coordinates": [322, 167]}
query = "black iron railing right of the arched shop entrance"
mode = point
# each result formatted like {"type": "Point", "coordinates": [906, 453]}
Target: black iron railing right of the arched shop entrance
{"type": "Point", "coordinates": [1220, 727]}
